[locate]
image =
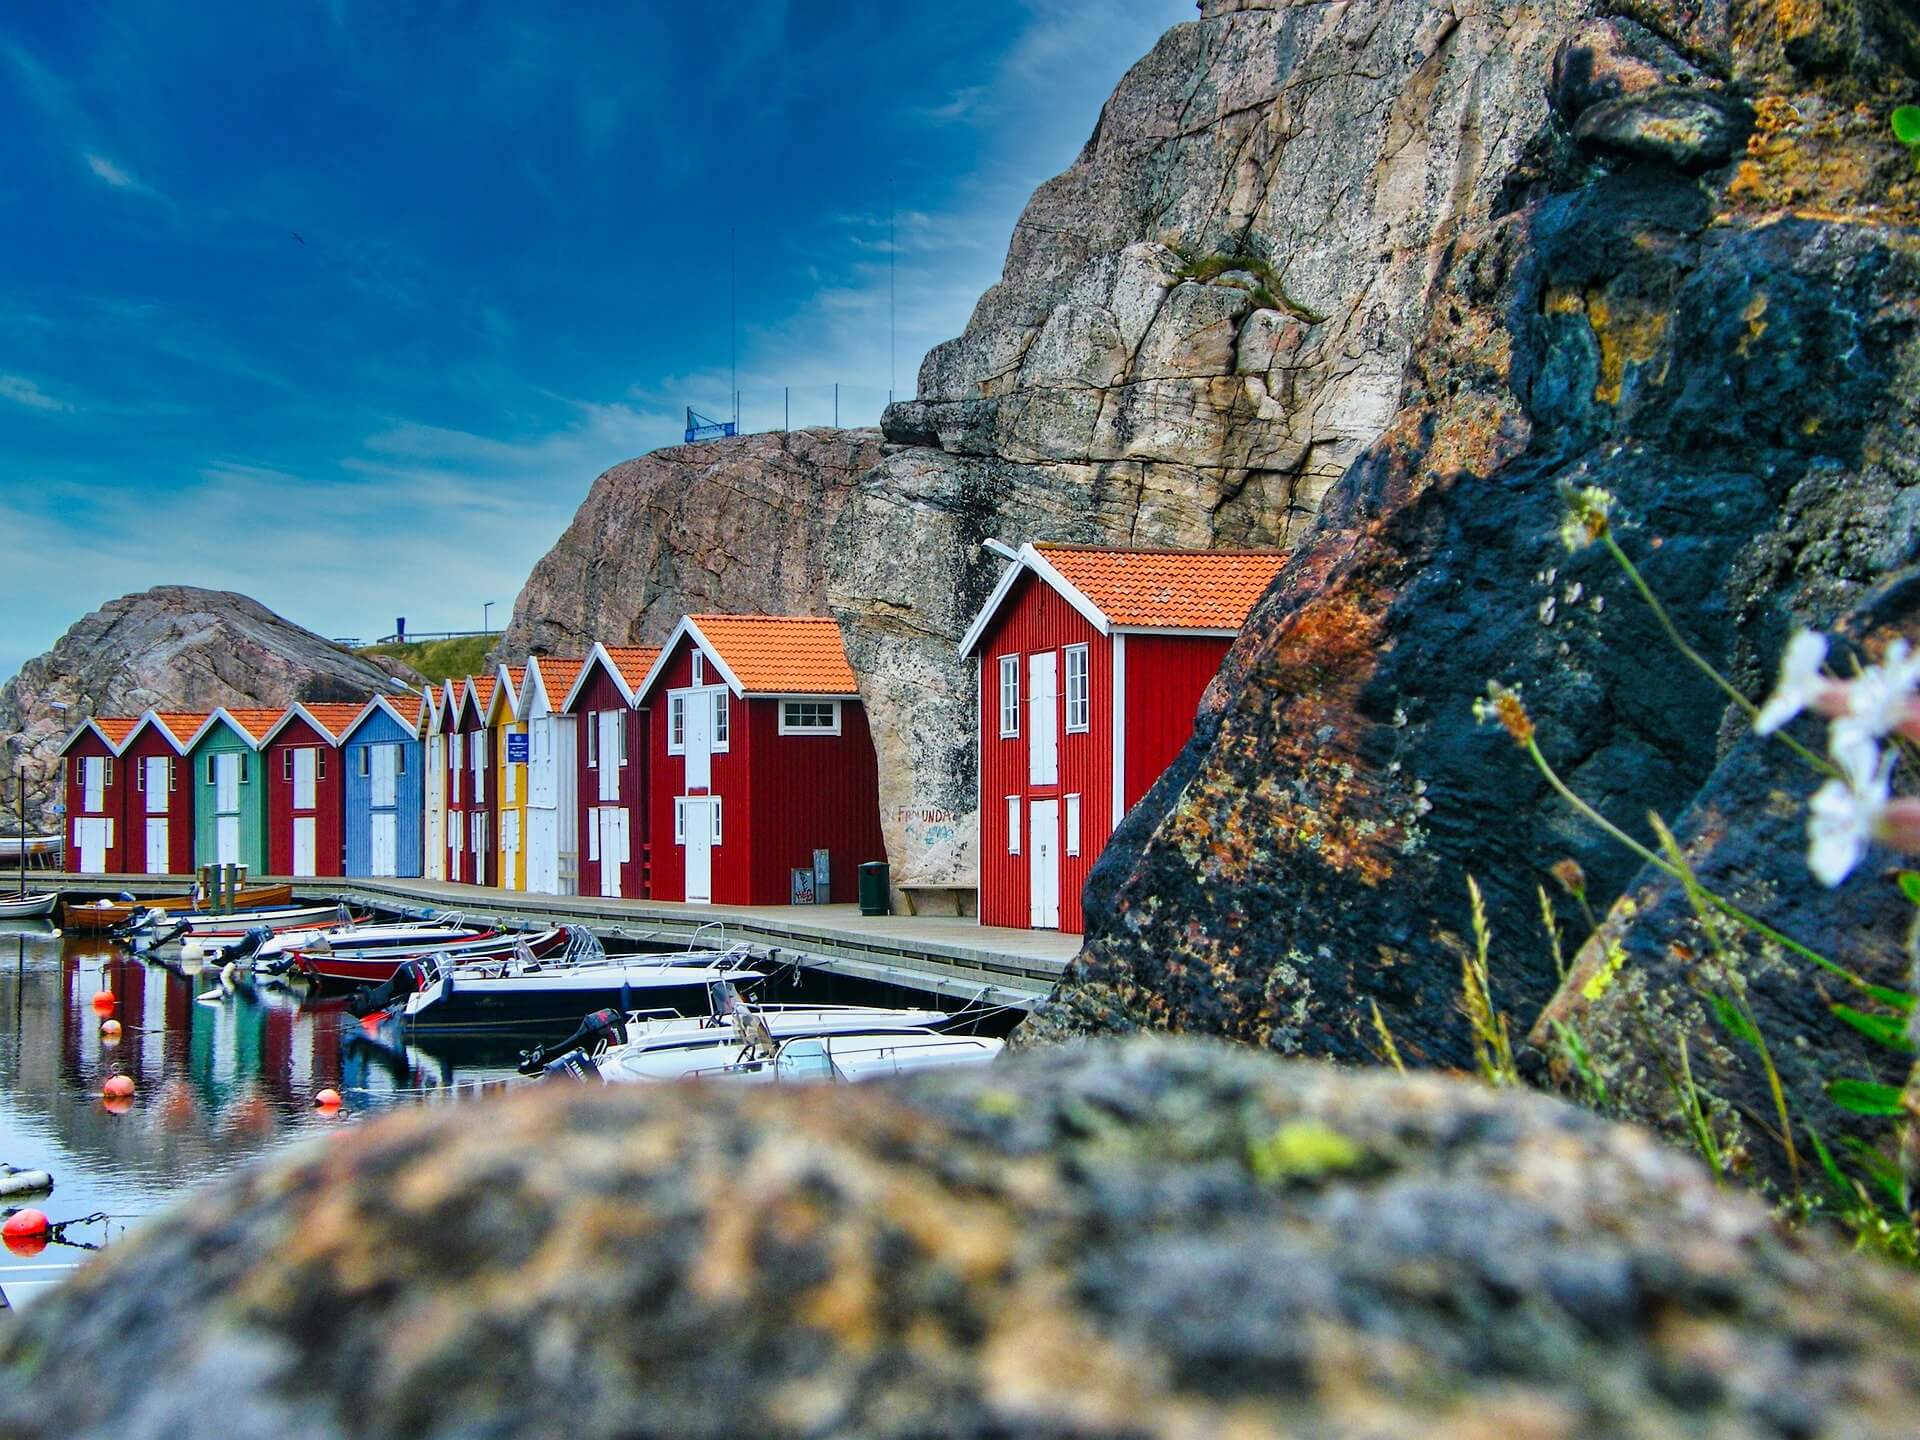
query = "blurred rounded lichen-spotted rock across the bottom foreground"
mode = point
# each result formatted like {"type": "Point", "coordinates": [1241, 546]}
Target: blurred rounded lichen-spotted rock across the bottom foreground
{"type": "Point", "coordinates": [1159, 1239]}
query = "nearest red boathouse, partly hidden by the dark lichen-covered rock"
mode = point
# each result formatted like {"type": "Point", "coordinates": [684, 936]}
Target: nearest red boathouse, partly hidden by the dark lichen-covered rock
{"type": "Point", "coordinates": [1092, 667]}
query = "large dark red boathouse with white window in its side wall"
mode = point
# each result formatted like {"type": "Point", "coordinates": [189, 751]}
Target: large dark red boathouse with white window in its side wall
{"type": "Point", "coordinates": [759, 756]}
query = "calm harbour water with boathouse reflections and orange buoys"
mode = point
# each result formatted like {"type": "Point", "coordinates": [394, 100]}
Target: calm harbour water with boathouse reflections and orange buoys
{"type": "Point", "coordinates": [222, 1084]}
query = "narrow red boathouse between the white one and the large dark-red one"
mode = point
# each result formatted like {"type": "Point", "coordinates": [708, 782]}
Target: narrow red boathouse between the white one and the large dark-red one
{"type": "Point", "coordinates": [612, 769]}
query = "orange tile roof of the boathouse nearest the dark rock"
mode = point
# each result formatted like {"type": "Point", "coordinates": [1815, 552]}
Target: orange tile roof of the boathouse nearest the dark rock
{"type": "Point", "coordinates": [1178, 590]}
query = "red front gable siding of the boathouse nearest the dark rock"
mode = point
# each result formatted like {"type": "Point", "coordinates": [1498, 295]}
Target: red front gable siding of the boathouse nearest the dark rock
{"type": "Point", "coordinates": [1038, 621]}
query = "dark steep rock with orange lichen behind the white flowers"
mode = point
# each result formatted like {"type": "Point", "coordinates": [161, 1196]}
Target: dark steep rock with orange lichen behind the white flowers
{"type": "Point", "coordinates": [1735, 356]}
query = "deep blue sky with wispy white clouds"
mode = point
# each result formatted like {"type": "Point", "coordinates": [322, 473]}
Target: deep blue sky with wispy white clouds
{"type": "Point", "coordinates": [347, 304]}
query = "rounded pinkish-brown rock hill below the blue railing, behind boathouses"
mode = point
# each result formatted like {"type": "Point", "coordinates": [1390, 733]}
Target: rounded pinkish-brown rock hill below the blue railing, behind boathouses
{"type": "Point", "coordinates": [736, 525]}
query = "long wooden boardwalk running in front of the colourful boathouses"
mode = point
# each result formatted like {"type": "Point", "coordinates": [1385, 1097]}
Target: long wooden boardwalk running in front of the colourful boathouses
{"type": "Point", "coordinates": [938, 955]}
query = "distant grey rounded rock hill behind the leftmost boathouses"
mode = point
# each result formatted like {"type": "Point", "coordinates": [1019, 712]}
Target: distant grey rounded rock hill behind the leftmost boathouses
{"type": "Point", "coordinates": [172, 648]}
